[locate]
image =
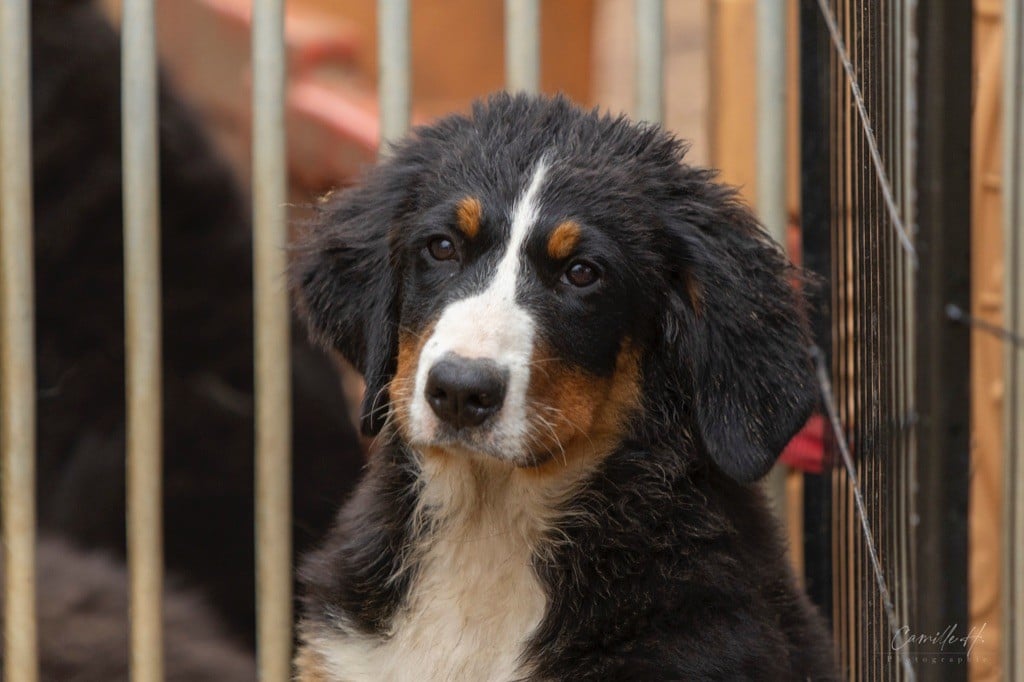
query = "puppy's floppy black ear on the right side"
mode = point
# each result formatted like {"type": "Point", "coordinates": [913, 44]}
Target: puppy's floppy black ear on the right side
{"type": "Point", "coordinates": [742, 334]}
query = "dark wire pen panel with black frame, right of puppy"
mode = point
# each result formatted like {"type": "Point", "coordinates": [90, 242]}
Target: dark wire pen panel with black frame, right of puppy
{"type": "Point", "coordinates": [886, 216]}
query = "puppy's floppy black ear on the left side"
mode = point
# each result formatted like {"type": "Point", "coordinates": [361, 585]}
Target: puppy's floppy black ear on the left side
{"type": "Point", "coordinates": [348, 282]}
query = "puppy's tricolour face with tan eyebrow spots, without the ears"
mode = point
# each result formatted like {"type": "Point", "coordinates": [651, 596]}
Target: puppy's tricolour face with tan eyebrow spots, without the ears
{"type": "Point", "coordinates": [516, 320]}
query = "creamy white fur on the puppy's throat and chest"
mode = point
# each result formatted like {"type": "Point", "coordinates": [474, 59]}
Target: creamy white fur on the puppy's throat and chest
{"type": "Point", "coordinates": [476, 600]}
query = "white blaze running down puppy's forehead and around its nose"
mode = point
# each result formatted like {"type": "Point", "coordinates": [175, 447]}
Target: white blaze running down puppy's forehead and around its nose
{"type": "Point", "coordinates": [491, 325]}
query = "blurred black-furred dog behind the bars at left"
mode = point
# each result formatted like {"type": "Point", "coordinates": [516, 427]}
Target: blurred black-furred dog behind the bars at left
{"type": "Point", "coordinates": [207, 330]}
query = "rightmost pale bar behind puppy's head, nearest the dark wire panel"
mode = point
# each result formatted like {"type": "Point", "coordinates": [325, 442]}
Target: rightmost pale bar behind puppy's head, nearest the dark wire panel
{"type": "Point", "coordinates": [772, 162]}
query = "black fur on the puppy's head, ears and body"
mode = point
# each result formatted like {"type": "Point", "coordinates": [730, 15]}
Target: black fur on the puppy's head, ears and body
{"type": "Point", "coordinates": [676, 571]}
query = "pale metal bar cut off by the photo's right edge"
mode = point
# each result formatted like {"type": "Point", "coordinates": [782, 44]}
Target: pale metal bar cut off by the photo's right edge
{"type": "Point", "coordinates": [1013, 223]}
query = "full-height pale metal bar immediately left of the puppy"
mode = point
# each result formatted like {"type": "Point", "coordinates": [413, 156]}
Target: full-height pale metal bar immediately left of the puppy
{"type": "Point", "coordinates": [274, 401]}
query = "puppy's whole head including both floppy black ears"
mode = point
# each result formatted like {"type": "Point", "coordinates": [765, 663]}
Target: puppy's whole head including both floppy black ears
{"type": "Point", "coordinates": [534, 280]}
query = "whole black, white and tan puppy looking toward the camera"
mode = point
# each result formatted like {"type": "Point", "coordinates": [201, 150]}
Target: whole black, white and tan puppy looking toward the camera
{"type": "Point", "coordinates": [580, 353]}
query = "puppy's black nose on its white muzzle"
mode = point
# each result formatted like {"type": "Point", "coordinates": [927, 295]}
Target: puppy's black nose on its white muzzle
{"type": "Point", "coordinates": [465, 393]}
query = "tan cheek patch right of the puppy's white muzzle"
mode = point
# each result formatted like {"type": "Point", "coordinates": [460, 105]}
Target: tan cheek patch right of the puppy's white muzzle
{"type": "Point", "coordinates": [585, 415]}
